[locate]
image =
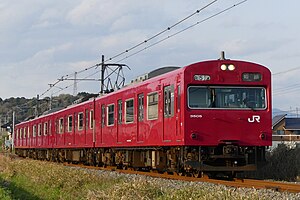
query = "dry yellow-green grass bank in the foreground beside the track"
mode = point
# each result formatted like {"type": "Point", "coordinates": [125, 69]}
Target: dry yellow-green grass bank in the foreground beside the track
{"type": "Point", "coordinates": [31, 179]}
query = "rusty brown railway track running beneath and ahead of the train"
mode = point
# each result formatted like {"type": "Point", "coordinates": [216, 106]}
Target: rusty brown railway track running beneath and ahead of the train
{"type": "Point", "coordinates": [237, 182]}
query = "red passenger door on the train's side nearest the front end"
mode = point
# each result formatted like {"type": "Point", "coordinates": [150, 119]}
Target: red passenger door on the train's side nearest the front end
{"type": "Point", "coordinates": [169, 121]}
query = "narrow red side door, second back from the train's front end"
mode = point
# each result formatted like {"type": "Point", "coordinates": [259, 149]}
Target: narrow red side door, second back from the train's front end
{"type": "Point", "coordinates": [140, 121]}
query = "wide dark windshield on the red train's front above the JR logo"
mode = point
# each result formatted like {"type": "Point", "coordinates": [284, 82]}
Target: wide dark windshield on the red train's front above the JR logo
{"type": "Point", "coordinates": [200, 97]}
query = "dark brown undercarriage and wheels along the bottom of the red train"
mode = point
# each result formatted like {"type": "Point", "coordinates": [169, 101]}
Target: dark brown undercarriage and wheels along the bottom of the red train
{"type": "Point", "coordinates": [188, 160]}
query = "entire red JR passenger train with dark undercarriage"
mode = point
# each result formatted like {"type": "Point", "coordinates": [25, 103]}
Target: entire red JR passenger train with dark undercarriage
{"type": "Point", "coordinates": [212, 116]}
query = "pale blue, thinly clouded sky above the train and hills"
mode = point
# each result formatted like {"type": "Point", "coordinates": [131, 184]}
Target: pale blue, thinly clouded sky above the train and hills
{"type": "Point", "coordinates": [42, 41]}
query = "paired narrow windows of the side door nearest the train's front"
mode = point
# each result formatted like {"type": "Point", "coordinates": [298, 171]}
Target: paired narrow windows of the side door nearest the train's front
{"type": "Point", "coordinates": [169, 101]}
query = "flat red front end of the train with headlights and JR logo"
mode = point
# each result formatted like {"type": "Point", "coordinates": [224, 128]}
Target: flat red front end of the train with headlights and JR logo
{"type": "Point", "coordinates": [227, 123]}
